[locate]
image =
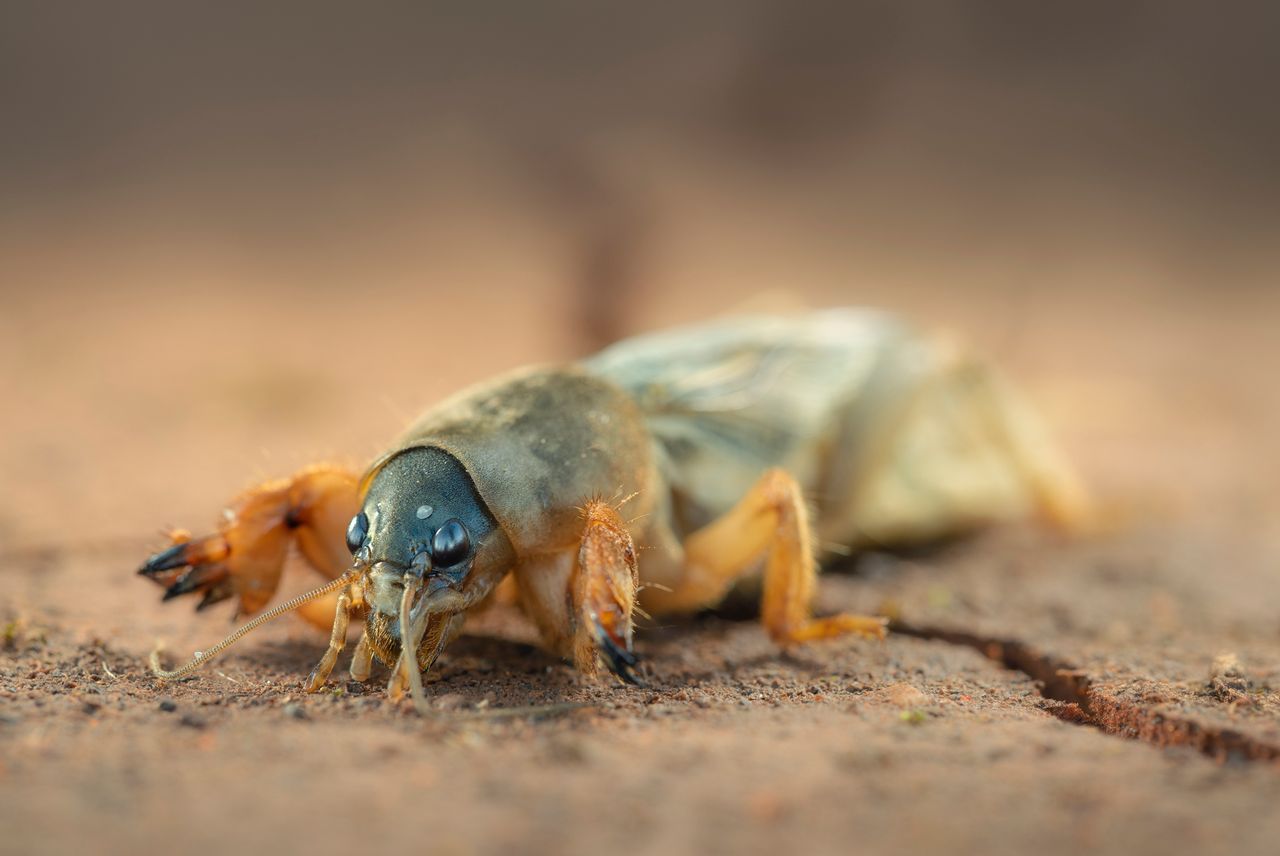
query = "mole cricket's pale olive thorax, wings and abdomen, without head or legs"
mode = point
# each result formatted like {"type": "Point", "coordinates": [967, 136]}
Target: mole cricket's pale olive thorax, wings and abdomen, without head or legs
{"type": "Point", "coordinates": [890, 436]}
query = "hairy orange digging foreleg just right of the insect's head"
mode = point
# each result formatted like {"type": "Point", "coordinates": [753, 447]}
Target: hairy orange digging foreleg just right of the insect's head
{"type": "Point", "coordinates": [583, 598]}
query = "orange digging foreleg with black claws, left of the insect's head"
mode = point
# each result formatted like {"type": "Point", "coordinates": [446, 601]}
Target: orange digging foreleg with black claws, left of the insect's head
{"type": "Point", "coordinates": [246, 556]}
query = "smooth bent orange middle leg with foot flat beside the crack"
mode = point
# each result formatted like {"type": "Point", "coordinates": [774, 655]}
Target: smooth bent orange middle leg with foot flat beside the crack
{"type": "Point", "coordinates": [774, 521]}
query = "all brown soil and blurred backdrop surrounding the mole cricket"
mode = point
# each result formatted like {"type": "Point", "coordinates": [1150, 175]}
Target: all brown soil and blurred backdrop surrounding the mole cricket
{"type": "Point", "coordinates": [241, 237]}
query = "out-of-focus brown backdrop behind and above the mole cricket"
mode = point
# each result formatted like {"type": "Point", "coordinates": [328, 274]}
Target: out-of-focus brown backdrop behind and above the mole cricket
{"type": "Point", "coordinates": [236, 239]}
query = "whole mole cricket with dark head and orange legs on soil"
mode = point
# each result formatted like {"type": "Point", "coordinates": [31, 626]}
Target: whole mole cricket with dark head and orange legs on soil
{"type": "Point", "coordinates": [732, 447]}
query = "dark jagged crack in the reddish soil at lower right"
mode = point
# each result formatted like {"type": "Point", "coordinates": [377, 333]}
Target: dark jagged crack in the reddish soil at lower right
{"type": "Point", "coordinates": [1082, 704]}
